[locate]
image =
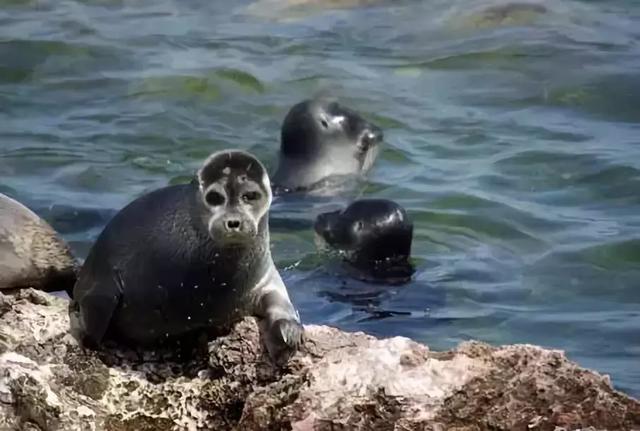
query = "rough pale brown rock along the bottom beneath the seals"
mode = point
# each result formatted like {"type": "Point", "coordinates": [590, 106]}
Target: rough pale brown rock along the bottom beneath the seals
{"type": "Point", "coordinates": [339, 381]}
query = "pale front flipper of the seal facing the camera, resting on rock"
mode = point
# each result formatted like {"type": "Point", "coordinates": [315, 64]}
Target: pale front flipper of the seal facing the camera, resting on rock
{"type": "Point", "coordinates": [279, 322]}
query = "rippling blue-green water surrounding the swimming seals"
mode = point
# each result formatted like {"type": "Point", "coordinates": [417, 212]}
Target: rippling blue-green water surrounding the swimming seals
{"type": "Point", "coordinates": [513, 139]}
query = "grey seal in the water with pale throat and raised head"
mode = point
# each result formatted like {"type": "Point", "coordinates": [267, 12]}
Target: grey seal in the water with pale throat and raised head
{"type": "Point", "coordinates": [322, 140]}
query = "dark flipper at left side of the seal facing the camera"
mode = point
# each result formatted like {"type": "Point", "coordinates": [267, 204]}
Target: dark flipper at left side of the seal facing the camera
{"type": "Point", "coordinates": [92, 308]}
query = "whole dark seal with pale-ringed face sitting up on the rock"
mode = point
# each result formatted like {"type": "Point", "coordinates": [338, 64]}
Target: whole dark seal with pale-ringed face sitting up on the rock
{"type": "Point", "coordinates": [185, 260]}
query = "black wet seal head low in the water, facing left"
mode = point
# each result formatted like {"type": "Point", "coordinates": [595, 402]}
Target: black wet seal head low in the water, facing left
{"type": "Point", "coordinates": [374, 236]}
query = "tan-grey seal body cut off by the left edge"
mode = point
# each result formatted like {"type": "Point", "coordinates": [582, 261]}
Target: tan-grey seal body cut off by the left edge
{"type": "Point", "coordinates": [32, 254]}
